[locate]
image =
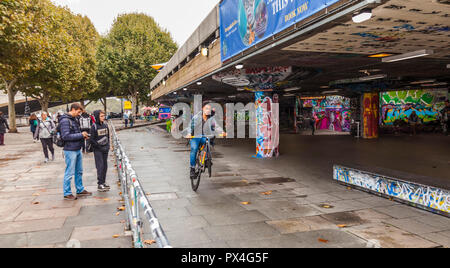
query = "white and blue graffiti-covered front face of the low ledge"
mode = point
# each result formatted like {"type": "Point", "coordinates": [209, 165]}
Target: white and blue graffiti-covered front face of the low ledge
{"type": "Point", "coordinates": [431, 198]}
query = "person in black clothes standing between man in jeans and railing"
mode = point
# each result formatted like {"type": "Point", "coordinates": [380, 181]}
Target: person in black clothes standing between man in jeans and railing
{"type": "Point", "coordinates": [100, 144]}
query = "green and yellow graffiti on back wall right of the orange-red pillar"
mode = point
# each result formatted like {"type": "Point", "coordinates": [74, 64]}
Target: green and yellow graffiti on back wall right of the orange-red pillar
{"type": "Point", "coordinates": [398, 105]}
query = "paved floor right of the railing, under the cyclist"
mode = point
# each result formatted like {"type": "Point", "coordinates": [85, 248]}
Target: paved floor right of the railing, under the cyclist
{"type": "Point", "coordinates": [290, 201]}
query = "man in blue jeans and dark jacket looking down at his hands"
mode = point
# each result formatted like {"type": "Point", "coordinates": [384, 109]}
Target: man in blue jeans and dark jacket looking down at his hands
{"type": "Point", "coordinates": [73, 137]}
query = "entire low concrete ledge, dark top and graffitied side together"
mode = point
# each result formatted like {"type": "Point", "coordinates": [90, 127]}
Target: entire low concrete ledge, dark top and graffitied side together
{"type": "Point", "coordinates": [399, 186]}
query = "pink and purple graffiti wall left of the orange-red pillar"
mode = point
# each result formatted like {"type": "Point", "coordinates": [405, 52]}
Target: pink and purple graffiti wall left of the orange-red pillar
{"type": "Point", "coordinates": [331, 112]}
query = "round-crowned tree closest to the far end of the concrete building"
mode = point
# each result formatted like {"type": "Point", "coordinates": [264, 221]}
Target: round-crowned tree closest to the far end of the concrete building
{"type": "Point", "coordinates": [134, 43]}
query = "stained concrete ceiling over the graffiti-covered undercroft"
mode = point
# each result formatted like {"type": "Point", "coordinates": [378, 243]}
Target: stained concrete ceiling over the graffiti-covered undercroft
{"type": "Point", "coordinates": [340, 50]}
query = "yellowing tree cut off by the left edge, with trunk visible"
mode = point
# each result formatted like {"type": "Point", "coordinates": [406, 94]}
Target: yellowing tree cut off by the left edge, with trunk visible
{"type": "Point", "coordinates": [21, 42]}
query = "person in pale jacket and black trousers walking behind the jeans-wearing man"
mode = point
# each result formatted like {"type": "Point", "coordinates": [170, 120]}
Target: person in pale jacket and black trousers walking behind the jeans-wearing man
{"type": "Point", "coordinates": [45, 131]}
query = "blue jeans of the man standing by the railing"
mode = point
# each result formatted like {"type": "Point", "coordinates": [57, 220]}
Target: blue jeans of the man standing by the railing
{"type": "Point", "coordinates": [74, 167]}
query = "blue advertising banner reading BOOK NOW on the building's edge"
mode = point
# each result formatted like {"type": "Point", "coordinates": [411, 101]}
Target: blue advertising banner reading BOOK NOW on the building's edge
{"type": "Point", "coordinates": [245, 23]}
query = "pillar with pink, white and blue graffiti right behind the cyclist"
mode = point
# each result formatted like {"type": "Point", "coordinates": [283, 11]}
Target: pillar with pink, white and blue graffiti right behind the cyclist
{"type": "Point", "coordinates": [267, 125]}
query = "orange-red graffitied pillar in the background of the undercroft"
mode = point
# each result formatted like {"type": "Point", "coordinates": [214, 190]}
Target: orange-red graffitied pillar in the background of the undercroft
{"type": "Point", "coordinates": [370, 106]}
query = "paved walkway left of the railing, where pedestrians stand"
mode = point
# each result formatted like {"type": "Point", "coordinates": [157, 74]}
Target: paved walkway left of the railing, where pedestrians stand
{"type": "Point", "coordinates": [33, 212]}
